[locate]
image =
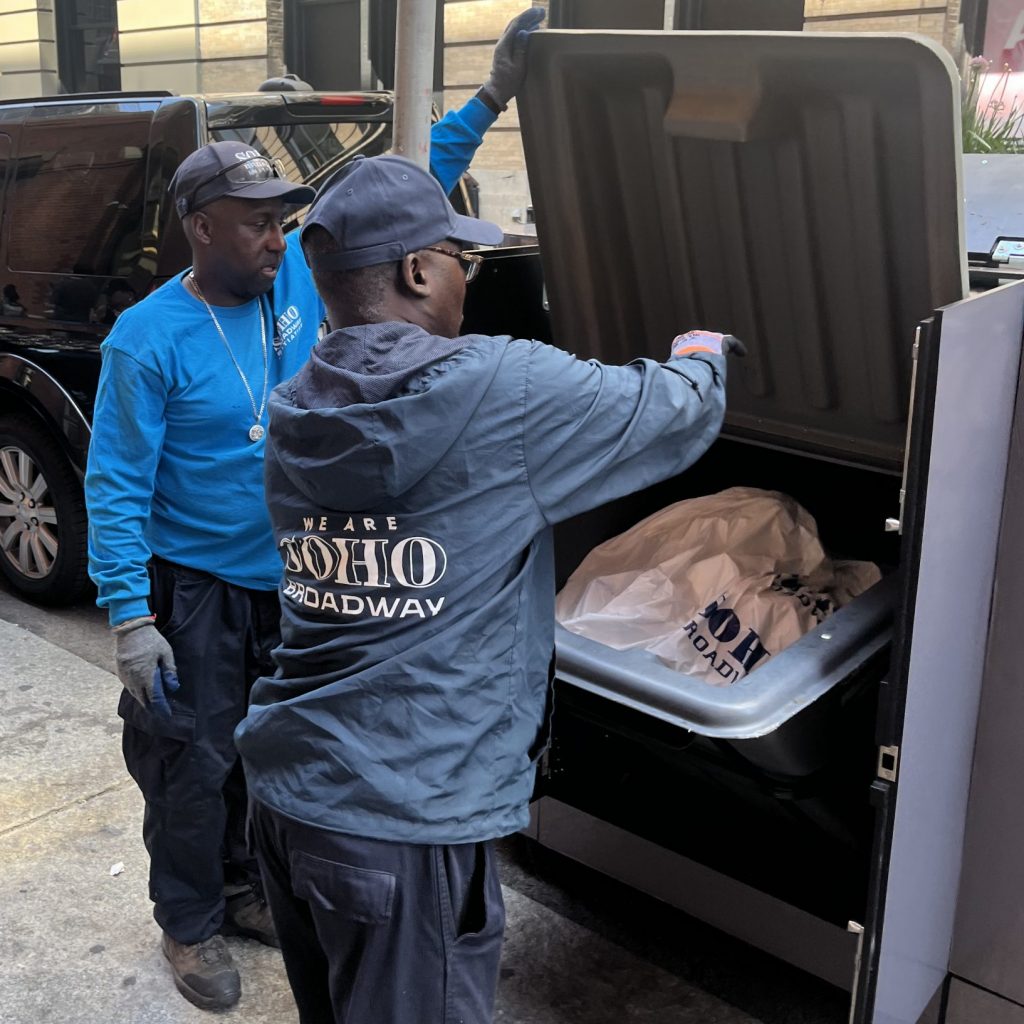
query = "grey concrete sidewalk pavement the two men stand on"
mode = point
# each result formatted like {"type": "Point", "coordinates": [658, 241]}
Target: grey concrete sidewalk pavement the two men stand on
{"type": "Point", "coordinates": [79, 946]}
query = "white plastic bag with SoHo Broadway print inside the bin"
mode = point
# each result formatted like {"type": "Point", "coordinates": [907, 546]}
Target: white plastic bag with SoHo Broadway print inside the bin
{"type": "Point", "coordinates": [713, 586]}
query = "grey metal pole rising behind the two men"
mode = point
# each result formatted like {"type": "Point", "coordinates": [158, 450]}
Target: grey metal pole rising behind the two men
{"type": "Point", "coordinates": [414, 80]}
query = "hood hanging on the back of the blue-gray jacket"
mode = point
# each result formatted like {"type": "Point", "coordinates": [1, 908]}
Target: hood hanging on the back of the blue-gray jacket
{"type": "Point", "coordinates": [375, 409]}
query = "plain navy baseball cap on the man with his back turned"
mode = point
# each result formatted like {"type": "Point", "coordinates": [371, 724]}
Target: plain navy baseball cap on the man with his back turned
{"type": "Point", "coordinates": [379, 209]}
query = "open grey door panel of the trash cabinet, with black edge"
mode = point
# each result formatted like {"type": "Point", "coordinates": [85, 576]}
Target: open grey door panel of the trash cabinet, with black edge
{"type": "Point", "coordinates": [942, 653]}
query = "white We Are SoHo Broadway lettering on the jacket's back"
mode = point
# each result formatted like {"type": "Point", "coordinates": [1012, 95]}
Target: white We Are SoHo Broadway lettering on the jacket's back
{"type": "Point", "coordinates": [363, 552]}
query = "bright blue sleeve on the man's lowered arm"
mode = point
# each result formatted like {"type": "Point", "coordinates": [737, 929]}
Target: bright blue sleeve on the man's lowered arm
{"type": "Point", "coordinates": [127, 438]}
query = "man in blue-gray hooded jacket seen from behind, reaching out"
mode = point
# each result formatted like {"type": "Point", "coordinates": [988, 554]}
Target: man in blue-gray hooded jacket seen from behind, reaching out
{"type": "Point", "coordinates": [413, 477]}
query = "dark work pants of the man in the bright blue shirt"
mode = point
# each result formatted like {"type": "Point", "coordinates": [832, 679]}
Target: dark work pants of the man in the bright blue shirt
{"type": "Point", "coordinates": [187, 767]}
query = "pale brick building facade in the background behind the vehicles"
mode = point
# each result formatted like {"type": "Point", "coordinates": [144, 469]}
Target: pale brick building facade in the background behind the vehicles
{"type": "Point", "coordinates": [54, 47]}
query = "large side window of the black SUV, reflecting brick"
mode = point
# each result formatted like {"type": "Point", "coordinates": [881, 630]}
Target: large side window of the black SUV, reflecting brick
{"type": "Point", "coordinates": [81, 173]}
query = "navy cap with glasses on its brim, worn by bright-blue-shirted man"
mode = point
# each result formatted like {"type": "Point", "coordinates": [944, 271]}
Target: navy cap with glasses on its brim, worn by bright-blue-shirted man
{"type": "Point", "coordinates": [222, 169]}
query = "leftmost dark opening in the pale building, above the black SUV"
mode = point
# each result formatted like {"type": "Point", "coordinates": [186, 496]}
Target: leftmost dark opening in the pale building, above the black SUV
{"type": "Point", "coordinates": [89, 59]}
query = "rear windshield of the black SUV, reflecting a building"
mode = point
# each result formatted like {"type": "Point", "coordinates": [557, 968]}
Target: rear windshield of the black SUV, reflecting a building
{"type": "Point", "coordinates": [311, 153]}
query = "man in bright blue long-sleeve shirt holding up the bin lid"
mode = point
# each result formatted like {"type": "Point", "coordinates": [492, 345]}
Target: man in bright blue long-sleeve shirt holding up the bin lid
{"type": "Point", "coordinates": [180, 541]}
